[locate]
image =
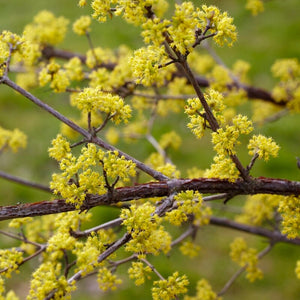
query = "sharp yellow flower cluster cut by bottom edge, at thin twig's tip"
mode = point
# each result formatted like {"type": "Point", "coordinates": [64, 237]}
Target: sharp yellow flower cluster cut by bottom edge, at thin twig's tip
{"type": "Point", "coordinates": [170, 288]}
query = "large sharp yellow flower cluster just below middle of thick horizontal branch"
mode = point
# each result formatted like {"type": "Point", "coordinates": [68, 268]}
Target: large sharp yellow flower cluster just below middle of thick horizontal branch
{"type": "Point", "coordinates": [148, 236]}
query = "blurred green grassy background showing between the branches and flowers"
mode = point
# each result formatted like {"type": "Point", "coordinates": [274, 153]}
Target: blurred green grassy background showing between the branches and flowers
{"type": "Point", "coordinates": [263, 39]}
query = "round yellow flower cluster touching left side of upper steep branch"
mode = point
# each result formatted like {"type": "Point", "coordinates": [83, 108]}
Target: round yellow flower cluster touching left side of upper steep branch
{"type": "Point", "coordinates": [145, 64]}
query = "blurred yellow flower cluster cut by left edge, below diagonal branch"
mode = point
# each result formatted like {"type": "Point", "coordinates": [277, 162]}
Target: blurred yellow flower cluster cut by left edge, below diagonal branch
{"type": "Point", "coordinates": [14, 140]}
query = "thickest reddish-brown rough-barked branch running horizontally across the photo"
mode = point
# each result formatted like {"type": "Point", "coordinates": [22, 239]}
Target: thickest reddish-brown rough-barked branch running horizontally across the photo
{"type": "Point", "coordinates": [157, 189]}
